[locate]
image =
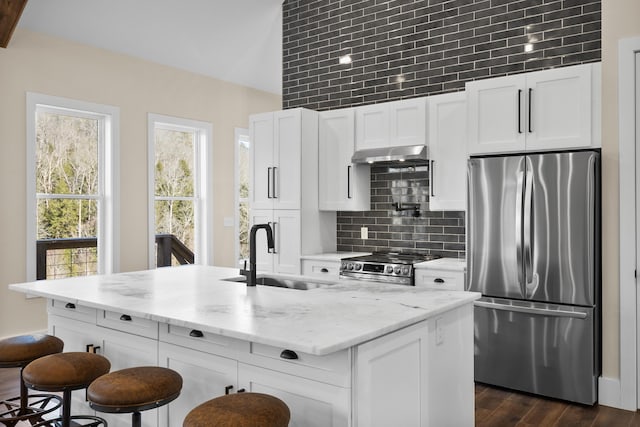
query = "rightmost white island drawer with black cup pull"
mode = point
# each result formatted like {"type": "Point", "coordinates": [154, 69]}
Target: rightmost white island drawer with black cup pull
{"type": "Point", "coordinates": [332, 368]}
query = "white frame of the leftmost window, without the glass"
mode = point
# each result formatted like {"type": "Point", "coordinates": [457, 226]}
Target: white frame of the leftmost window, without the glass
{"type": "Point", "coordinates": [108, 198]}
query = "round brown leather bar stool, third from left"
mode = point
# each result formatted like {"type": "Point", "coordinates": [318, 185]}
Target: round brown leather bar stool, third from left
{"type": "Point", "coordinates": [134, 390]}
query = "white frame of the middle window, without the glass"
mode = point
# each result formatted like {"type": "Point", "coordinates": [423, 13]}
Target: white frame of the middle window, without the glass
{"type": "Point", "coordinates": [203, 188]}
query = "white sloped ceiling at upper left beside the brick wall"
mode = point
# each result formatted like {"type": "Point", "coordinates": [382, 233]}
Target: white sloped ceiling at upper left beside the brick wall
{"type": "Point", "coordinates": [233, 40]}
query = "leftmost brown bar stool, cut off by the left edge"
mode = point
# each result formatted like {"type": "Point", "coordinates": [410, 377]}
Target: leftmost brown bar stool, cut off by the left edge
{"type": "Point", "coordinates": [18, 352]}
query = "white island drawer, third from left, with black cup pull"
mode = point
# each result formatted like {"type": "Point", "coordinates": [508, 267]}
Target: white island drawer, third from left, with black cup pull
{"type": "Point", "coordinates": [202, 340]}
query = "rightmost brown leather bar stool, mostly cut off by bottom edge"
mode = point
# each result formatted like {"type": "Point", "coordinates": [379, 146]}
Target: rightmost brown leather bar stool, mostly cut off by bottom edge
{"type": "Point", "coordinates": [240, 410]}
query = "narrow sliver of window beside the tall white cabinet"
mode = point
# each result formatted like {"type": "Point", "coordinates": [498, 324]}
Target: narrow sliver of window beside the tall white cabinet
{"type": "Point", "coordinates": [242, 194]}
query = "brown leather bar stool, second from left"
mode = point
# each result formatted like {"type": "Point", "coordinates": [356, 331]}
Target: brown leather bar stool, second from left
{"type": "Point", "coordinates": [65, 372]}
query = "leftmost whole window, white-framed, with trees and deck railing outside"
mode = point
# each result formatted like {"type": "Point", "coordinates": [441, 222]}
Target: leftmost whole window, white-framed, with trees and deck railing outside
{"type": "Point", "coordinates": [71, 187]}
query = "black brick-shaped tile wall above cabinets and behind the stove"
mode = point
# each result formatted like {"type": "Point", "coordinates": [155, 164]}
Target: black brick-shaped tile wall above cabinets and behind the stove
{"type": "Point", "coordinates": [408, 48]}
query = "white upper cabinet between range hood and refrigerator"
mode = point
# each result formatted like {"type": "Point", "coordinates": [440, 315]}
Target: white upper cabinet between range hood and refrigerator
{"type": "Point", "coordinates": [447, 152]}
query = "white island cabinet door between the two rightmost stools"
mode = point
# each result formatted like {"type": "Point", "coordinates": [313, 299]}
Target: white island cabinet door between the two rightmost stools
{"type": "Point", "coordinates": [204, 377]}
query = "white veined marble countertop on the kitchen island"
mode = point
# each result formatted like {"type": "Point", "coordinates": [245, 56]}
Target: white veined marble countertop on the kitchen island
{"type": "Point", "coordinates": [319, 321]}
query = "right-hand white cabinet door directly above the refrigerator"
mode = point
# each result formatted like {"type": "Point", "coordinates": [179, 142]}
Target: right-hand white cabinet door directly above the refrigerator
{"type": "Point", "coordinates": [559, 108]}
